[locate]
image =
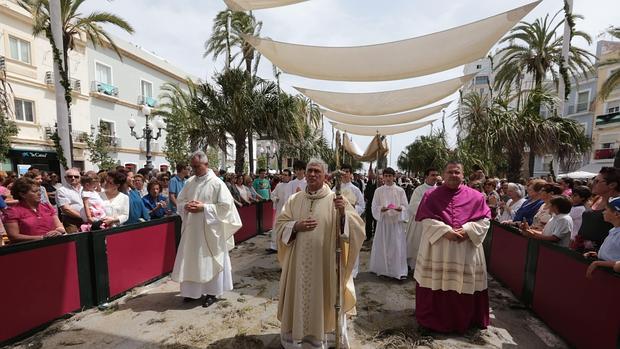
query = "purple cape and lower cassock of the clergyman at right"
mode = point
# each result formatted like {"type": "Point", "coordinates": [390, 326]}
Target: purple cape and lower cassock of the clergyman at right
{"type": "Point", "coordinates": [450, 311]}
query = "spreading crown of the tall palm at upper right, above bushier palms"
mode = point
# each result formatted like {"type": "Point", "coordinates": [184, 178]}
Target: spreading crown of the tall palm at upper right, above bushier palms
{"type": "Point", "coordinates": [536, 49]}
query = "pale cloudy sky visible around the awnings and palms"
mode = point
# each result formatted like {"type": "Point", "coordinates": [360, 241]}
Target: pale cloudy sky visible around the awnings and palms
{"type": "Point", "coordinates": [177, 30]}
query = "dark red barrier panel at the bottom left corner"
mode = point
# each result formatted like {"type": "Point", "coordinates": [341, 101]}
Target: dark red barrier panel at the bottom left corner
{"type": "Point", "coordinates": [40, 284]}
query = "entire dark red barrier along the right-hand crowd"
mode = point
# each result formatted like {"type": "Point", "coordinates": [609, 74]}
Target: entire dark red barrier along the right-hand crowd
{"type": "Point", "coordinates": [551, 281]}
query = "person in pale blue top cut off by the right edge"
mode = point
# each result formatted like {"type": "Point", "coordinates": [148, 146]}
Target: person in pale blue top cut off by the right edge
{"type": "Point", "coordinates": [609, 253]}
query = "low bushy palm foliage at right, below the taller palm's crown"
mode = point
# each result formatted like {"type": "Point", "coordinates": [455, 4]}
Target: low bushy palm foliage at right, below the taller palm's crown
{"type": "Point", "coordinates": [494, 127]}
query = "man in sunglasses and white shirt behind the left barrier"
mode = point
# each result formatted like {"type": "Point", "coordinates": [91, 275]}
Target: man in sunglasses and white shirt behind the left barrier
{"type": "Point", "coordinates": [69, 201]}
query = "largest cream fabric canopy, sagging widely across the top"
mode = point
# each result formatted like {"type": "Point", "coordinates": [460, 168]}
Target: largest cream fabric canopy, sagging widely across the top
{"type": "Point", "coordinates": [396, 60]}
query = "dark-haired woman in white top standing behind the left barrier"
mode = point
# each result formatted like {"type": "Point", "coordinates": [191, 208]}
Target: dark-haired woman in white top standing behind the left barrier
{"type": "Point", "coordinates": [115, 203]}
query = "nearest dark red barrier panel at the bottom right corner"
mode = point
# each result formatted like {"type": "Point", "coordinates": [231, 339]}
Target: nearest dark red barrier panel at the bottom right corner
{"type": "Point", "coordinates": [586, 313]}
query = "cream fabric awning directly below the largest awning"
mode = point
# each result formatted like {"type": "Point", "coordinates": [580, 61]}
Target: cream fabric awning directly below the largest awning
{"type": "Point", "coordinates": [385, 102]}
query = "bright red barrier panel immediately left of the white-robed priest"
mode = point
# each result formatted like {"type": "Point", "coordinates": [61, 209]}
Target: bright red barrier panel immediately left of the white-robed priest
{"type": "Point", "coordinates": [139, 255]}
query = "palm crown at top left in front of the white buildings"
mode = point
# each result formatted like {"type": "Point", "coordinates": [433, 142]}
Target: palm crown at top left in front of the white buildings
{"type": "Point", "coordinates": [74, 24]}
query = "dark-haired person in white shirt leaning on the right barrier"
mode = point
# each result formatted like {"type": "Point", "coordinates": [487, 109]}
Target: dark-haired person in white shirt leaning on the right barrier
{"type": "Point", "coordinates": [559, 227]}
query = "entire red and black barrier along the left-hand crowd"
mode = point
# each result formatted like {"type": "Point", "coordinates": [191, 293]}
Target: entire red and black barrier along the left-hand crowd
{"type": "Point", "coordinates": [48, 279]}
